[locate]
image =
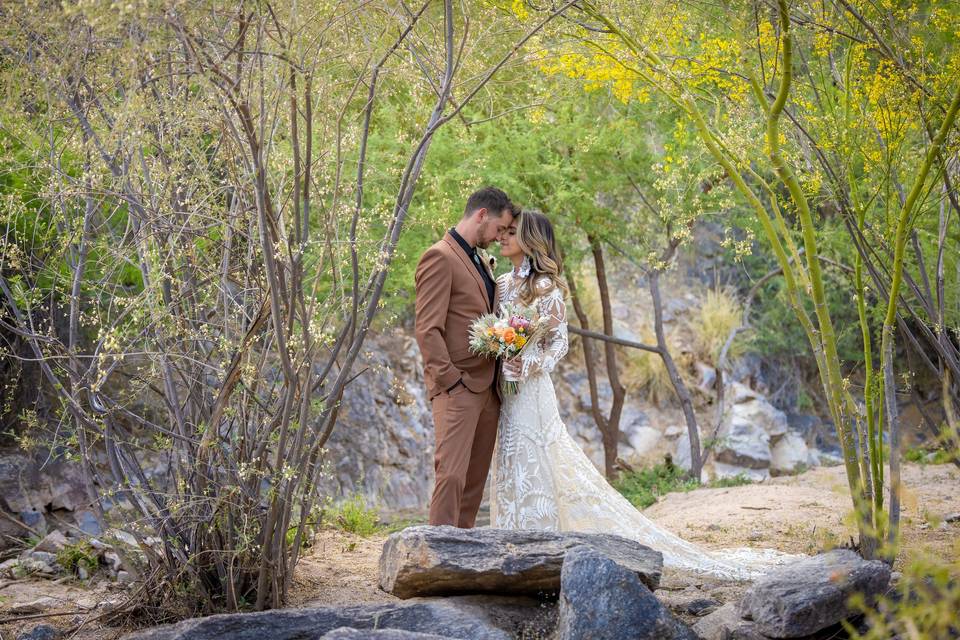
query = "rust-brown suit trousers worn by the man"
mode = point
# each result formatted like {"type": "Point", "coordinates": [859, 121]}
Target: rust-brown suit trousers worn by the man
{"type": "Point", "coordinates": [465, 425]}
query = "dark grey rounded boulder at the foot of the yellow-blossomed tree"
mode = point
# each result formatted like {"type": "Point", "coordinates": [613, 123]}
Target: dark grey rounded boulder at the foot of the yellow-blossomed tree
{"type": "Point", "coordinates": [811, 594]}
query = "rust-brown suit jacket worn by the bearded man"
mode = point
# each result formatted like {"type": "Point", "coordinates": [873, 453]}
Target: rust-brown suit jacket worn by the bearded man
{"type": "Point", "coordinates": [450, 296]}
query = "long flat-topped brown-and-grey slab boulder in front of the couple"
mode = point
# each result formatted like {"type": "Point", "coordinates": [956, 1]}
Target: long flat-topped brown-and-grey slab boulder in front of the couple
{"type": "Point", "coordinates": [427, 560]}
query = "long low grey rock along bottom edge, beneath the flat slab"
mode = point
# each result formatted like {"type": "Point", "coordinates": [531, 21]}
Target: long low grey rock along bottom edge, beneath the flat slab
{"type": "Point", "coordinates": [471, 618]}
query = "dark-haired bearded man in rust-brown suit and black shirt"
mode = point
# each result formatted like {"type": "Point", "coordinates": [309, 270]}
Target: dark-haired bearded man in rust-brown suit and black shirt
{"type": "Point", "coordinates": [455, 285]}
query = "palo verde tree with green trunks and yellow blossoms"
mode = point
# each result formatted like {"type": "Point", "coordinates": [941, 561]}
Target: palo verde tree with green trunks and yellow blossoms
{"type": "Point", "coordinates": [807, 109]}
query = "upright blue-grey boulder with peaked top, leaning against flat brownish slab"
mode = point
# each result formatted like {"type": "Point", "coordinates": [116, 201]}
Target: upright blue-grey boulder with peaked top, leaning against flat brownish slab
{"type": "Point", "coordinates": [602, 600]}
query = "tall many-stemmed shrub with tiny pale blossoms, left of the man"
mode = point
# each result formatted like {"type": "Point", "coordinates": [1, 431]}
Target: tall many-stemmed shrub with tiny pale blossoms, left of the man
{"type": "Point", "coordinates": [212, 268]}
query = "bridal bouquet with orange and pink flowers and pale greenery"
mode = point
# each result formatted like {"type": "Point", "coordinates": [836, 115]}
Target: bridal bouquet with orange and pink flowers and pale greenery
{"type": "Point", "coordinates": [505, 335]}
